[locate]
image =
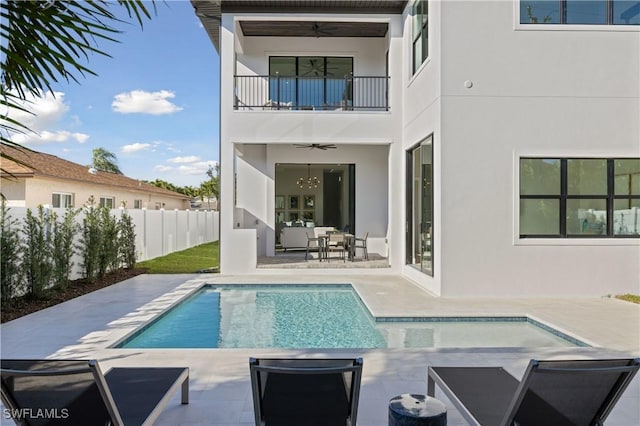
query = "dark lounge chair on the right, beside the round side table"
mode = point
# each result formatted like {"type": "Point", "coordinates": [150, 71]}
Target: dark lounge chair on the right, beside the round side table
{"type": "Point", "coordinates": [556, 393]}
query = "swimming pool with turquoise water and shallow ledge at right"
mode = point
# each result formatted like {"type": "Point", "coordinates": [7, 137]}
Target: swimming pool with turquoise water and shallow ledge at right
{"type": "Point", "coordinates": [327, 316]}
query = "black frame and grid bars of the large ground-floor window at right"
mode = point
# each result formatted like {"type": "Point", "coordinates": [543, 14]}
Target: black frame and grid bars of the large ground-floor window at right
{"type": "Point", "coordinates": [564, 197]}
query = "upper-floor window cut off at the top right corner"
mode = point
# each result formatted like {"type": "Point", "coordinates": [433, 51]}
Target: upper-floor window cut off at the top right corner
{"type": "Point", "coordinates": [580, 12]}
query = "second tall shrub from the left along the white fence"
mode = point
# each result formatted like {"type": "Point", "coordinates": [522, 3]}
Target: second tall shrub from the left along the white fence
{"type": "Point", "coordinates": [36, 252]}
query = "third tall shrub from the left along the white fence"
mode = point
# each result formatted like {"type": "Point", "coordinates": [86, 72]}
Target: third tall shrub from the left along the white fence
{"type": "Point", "coordinates": [63, 234]}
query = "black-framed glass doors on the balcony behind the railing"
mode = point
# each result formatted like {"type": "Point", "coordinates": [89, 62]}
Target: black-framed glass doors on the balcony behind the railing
{"type": "Point", "coordinates": [313, 82]}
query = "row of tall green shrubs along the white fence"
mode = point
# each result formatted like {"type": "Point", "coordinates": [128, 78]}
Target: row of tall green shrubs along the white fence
{"type": "Point", "coordinates": [37, 253]}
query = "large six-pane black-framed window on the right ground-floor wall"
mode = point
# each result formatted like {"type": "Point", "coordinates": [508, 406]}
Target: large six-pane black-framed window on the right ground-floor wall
{"type": "Point", "coordinates": [579, 197]}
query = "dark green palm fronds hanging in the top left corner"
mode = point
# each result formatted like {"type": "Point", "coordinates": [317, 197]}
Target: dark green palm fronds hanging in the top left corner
{"type": "Point", "coordinates": [46, 41]}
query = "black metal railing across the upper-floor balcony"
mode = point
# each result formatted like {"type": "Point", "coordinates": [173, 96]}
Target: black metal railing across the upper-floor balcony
{"type": "Point", "coordinates": [275, 92]}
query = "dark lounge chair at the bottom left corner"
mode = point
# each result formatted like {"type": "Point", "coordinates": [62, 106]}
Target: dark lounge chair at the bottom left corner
{"type": "Point", "coordinates": [75, 392]}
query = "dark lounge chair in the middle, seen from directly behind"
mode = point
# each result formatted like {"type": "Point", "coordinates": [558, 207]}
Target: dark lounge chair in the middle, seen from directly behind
{"type": "Point", "coordinates": [309, 392]}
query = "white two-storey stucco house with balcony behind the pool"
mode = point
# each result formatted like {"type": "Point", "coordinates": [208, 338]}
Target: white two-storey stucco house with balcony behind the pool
{"type": "Point", "coordinates": [489, 148]}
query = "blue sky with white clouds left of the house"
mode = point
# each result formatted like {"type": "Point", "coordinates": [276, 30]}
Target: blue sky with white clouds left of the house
{"type": "Point", "coordinates": [154, 103]}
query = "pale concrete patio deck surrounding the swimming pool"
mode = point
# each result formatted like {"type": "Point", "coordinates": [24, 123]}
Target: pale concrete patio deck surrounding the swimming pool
{"type": "Point", "coordinates": [219, 378]}
